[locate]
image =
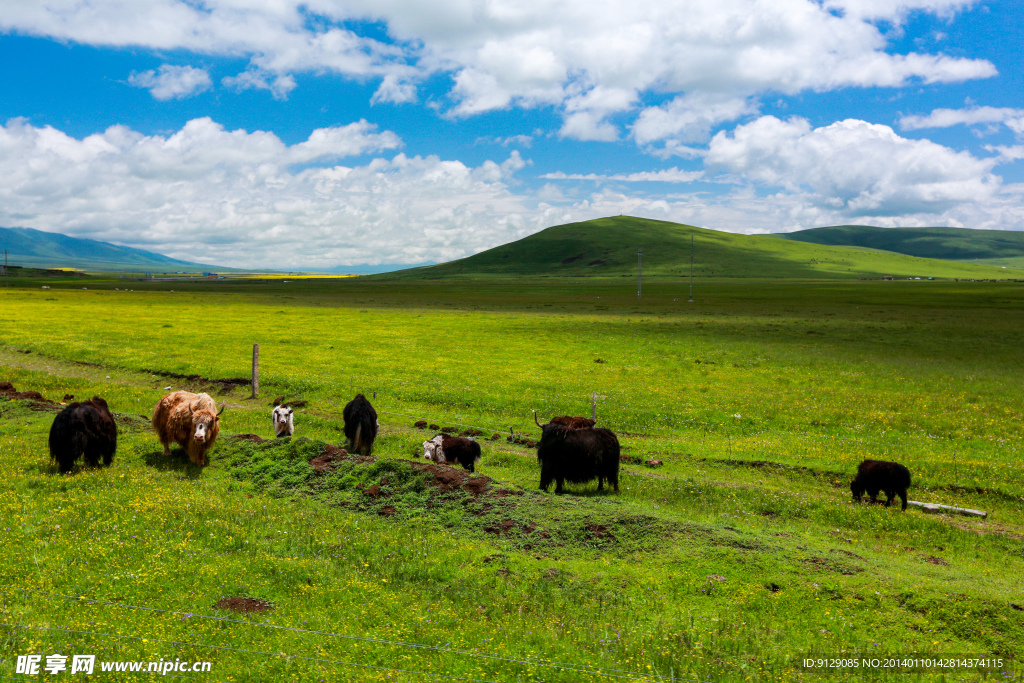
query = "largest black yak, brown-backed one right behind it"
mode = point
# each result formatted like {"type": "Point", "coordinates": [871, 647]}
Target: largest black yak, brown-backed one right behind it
{"type": "Point", "coordinates": [578, 456]}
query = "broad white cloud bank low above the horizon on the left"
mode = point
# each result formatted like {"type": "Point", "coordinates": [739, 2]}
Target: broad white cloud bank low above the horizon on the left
{"type": "Point", "coordinates": [247, 199]}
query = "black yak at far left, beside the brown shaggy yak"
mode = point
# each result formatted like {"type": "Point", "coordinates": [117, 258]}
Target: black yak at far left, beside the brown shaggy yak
{"type": "Point", "coordinates": [86, 429]}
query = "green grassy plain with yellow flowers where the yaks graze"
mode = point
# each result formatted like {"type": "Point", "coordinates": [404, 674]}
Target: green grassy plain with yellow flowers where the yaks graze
{"type": "Point", "coordinates": [732, 562]}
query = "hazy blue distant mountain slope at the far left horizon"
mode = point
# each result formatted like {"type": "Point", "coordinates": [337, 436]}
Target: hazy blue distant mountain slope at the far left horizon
{"type": "Point", "coordinates": [28, 247]}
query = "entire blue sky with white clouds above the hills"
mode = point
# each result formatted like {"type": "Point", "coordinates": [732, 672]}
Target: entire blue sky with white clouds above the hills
{"type": "Point", "coordinates": [285, 135]}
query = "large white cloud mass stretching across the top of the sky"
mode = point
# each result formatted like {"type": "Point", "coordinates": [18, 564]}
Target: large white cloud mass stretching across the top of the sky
{"type": "Point", "coordinates": [588, 61]}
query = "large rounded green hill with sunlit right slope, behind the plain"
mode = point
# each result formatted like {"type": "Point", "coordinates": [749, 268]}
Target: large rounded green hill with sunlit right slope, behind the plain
{"type": "Point", "coordinates": [608, 247]}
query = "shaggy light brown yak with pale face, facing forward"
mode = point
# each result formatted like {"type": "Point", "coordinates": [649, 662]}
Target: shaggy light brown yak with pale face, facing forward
{"type": "Point", "coordinates": [191, 420]}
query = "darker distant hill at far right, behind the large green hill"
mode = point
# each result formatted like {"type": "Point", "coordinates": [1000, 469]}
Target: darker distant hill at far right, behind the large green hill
{"type": "Point", "coordinates": [955, 244]}
